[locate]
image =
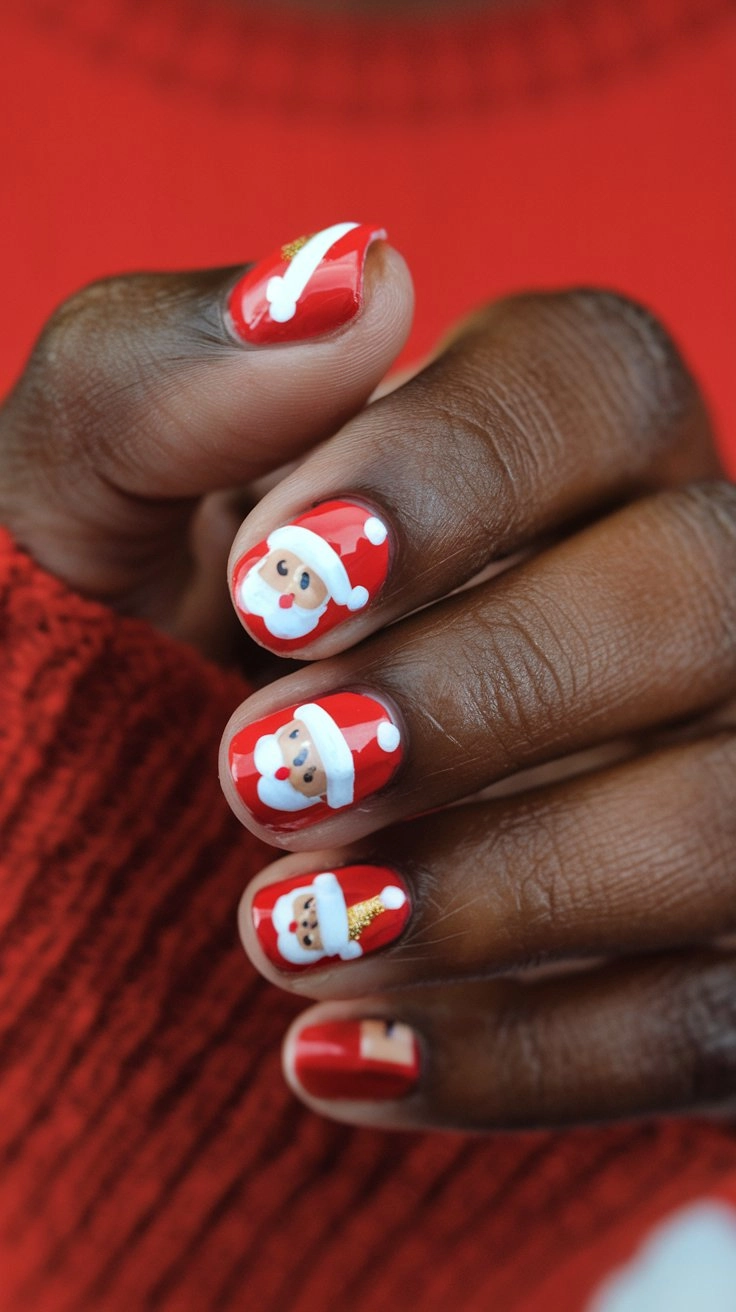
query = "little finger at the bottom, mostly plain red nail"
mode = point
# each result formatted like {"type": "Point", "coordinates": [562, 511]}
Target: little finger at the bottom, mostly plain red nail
{"type": "Point", "coordinates": [629, 1040]}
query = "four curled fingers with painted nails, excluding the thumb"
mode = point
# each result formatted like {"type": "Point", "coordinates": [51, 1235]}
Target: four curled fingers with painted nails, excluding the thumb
{"type": "Point", "coordinates": [566, 431]}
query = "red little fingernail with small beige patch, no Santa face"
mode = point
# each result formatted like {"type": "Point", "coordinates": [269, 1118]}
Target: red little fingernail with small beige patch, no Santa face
{"type": "Point", "coordinates": [369, 1059]}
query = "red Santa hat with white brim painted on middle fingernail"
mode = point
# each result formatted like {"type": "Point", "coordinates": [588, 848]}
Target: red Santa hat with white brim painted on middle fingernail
{"type": "Point", "coordinates": [377, 741]}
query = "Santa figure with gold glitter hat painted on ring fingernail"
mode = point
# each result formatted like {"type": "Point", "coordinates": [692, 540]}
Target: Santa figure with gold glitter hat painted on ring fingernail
{"type": "Point", "coordinates": [340, 926]}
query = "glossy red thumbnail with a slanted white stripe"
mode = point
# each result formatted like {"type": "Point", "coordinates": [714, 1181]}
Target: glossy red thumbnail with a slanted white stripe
{"type": "Point", "coordinates": [305, 289]}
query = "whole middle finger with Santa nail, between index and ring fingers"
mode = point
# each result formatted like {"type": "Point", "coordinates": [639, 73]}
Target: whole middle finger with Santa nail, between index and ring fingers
{"type": "Point", "coordinates": [628, 625]}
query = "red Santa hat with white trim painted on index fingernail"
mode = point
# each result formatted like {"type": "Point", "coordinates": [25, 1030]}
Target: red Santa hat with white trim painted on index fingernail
{"type": "Point", "coordinates": [351, 566]}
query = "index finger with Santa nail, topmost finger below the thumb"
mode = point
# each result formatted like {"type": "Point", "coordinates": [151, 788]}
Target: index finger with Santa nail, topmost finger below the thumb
{"type": "Point", "coordinates": [544, 410]}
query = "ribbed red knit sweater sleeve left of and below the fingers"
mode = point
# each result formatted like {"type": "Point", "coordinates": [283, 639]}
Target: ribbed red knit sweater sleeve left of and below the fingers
{"type": "Point", "coordinates": [152, 1155]}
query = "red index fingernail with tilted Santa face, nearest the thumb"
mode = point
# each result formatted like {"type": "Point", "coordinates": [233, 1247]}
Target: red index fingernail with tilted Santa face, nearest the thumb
{"type": "Point", "coordinates": [312, 575]}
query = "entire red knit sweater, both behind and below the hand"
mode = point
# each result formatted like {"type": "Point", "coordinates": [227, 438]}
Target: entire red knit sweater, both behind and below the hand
{"type": "Point", "coordinates": [152, 1155]}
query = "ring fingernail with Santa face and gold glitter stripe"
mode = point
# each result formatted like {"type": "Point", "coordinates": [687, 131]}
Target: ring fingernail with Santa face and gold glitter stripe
{"type": "Point", "coordinates": [338, 915]}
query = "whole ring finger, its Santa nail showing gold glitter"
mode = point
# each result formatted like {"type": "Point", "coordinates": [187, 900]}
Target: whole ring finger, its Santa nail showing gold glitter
{"type": "Point", "coordinates": [637, 859]}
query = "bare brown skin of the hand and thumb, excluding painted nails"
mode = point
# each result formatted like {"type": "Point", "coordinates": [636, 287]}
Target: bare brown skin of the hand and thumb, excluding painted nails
{"type": "Point", "coordinates": [563, 436]}
